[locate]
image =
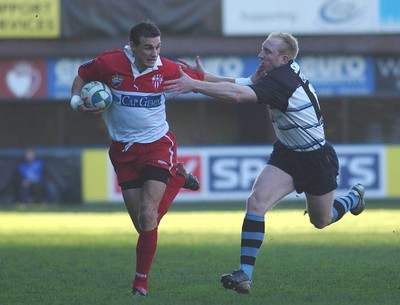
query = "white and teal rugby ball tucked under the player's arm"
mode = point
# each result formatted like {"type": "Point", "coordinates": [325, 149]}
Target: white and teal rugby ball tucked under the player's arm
{"type": "Point", "coordinates": [97, 94]}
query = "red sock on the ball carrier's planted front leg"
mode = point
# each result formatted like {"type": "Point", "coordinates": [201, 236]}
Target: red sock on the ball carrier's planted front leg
{"type": "Point", "coordinates": [145, 251]}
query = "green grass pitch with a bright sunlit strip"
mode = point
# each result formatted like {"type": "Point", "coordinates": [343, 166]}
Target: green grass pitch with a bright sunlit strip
{"type": "Point", "coordinates": [85, 255]}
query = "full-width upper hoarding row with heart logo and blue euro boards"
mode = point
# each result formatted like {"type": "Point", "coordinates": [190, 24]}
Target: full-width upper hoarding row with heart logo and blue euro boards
{"type": "Point", "coordinates": [331, 75]}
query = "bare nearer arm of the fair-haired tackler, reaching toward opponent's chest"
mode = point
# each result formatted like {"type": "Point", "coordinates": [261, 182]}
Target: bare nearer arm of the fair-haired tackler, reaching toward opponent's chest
{"type": "Point", "coordinates": [226, 91]}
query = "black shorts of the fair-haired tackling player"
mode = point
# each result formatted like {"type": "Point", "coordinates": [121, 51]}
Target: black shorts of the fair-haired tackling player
{"type": "Point", "coordinates": [313, 172]}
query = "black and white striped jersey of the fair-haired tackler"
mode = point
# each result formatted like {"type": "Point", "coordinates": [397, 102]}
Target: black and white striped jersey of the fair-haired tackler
{"type": "Point", "coordinates": [293, 106]}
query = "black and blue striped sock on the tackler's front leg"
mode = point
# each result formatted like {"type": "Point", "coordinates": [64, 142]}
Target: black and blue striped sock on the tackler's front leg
{"type": "Point", "coordinates": [253, 231]}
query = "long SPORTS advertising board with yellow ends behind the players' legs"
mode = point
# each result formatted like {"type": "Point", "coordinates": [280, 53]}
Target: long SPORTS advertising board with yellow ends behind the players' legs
{"type": "Point", "coordinates": [228, 173]}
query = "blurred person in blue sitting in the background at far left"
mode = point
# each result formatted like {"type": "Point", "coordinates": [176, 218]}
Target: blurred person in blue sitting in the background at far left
{"type": "Point", "coordinates": [31, 175]}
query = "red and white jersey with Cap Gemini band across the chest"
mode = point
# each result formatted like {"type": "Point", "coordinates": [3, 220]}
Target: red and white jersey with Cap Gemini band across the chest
{"type": "Point", "coordinates": [137, 114]}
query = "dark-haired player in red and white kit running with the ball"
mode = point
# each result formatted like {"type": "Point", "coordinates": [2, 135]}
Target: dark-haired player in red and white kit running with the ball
{"type": "Point", "coordinates": [143, 149]}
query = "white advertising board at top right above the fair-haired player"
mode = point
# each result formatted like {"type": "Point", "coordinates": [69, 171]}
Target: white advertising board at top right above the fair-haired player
{"type": "Point", "coordinates": [311, 17]}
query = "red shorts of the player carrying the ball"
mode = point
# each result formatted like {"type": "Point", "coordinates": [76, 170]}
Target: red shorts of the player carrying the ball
{"type": "Point", "coordinates": [136, 163]}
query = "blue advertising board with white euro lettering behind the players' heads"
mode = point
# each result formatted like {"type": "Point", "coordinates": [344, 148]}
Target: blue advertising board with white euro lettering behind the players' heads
{"type": "Point", "coordinates": [334, 75]}
